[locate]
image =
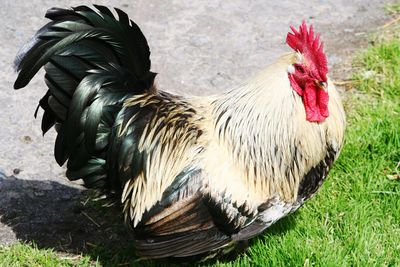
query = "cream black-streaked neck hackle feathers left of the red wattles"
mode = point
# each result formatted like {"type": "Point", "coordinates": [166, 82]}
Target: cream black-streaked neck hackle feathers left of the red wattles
{"type": "Point", "coordinates": [261, 123]}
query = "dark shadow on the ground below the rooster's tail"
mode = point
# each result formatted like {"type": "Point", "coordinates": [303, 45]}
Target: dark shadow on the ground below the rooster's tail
{"type": "Point", "coordinates": [65, 219]}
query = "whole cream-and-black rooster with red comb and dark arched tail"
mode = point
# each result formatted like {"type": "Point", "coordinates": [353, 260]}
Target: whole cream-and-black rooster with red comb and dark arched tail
{"type": "Point", "coordinates": [195, 175]}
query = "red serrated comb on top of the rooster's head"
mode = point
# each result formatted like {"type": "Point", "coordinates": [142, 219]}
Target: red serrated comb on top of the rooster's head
{"type": "Point", "coordinates": [311, 48]}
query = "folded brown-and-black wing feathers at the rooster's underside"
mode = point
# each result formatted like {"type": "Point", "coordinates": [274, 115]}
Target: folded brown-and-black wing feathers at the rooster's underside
{"type": "Point", "coordinates": [183, 233]}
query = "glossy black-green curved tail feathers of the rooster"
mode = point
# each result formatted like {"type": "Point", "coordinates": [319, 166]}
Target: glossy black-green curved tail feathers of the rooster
{"type": "Point", "coordinates": [93, 62]}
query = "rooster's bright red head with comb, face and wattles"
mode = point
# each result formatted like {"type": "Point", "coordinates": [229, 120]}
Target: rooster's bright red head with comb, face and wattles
{"type": "Point", "coordinates": [308, 75]}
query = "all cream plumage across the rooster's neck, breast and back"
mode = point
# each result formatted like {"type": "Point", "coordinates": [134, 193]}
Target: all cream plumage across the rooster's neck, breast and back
{"type": "Point", "coordinates": [256, 144]}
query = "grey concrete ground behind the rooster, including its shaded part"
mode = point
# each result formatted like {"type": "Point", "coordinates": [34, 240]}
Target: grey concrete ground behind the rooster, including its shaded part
{"type": "Point", "coordinates": [198, 47]}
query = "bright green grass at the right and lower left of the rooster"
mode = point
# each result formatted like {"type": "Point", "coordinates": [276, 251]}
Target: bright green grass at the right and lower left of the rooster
{"type": "Point", "coordinates": [353, 221]}
